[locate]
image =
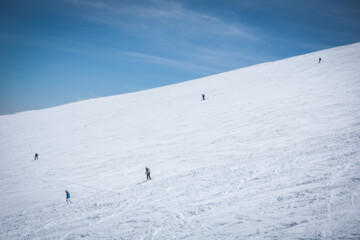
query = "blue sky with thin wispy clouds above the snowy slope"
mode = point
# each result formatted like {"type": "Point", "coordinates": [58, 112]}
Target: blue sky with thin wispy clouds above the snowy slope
{"type": "Point", "coordinates": [54, 52]}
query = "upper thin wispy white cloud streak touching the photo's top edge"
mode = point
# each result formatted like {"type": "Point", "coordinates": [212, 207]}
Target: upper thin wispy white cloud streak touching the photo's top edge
{"type": "Point", "coordinates": [159, 14]}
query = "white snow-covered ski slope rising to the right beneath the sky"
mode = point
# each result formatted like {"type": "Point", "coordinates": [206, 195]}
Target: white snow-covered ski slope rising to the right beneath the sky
{"type": "Point", "coordinates": [272, 153]}
